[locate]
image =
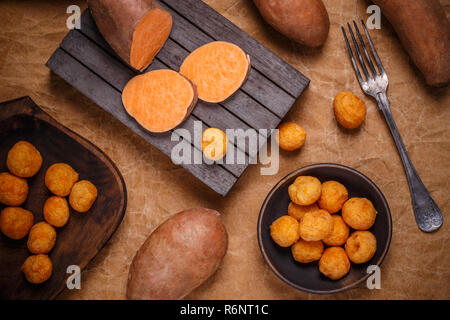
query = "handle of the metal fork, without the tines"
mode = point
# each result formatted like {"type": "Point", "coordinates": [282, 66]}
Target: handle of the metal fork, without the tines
{"type": "Point", "coordinates": [427, 213]}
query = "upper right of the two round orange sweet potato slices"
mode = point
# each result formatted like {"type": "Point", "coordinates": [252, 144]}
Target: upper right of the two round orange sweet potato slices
{"type": "Point", "coordinates": [218, 69]}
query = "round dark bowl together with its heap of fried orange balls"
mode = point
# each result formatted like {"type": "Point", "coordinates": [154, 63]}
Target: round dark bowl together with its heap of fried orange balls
{"type": "Point", "coordinates": [322, 226]}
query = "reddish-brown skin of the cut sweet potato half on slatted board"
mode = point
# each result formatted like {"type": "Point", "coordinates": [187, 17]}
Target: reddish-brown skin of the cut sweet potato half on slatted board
{"type": "Point", "coordinates": [117, 21]}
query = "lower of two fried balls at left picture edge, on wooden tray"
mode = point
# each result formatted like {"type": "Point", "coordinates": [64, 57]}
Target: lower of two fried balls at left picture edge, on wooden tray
{"type": "Point", "coordinates": [15, 222]}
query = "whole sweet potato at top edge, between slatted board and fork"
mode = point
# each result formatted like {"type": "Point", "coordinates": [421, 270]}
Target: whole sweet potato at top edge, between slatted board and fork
{"type": "Point", "coordinates": [304, 21]}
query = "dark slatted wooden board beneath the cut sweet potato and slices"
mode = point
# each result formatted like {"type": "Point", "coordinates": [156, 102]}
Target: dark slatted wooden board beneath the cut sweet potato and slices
{"type": "Point", "coordinates": [88, 63]}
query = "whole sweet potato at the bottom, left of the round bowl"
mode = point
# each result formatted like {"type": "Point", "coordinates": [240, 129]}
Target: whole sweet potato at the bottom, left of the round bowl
{"type": "Point", "coordinates": [178, 256]}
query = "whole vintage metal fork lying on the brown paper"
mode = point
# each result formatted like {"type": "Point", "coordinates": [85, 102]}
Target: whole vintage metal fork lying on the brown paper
{"type": "Point", "coordinates": [427, 213]}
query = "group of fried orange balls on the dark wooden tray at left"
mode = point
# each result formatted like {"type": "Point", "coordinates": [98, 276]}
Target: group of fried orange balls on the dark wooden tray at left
{"type": "Point", "coordinates": [24, 161]}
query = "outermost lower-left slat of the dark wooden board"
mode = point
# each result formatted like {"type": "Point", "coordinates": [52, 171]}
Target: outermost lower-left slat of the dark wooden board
{"type": "Point", "coordinates": [96, 89]}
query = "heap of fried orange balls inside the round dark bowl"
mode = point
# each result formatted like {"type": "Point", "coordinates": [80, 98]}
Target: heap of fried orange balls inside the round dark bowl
{"type": "Point", "coordinates": [313, 223]}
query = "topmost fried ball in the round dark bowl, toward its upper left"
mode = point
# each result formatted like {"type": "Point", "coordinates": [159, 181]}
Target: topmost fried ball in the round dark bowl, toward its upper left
{"type": "Point", "coordinates": [305, 190]}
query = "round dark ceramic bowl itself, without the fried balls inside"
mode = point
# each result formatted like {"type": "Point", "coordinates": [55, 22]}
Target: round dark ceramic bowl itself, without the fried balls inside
{"type": "Point", "coordinates": [306, 277]}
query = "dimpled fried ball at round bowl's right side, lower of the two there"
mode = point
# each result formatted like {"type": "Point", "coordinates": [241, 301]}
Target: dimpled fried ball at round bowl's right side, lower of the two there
{"type": "Point", "coordinates": [361, 246]}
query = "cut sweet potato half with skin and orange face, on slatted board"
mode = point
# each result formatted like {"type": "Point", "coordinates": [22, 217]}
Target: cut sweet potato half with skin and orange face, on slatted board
{"type": "Point", "coordinates": [136, 30]}
